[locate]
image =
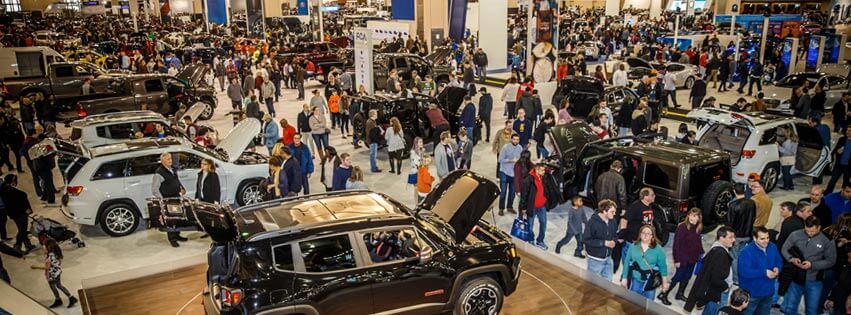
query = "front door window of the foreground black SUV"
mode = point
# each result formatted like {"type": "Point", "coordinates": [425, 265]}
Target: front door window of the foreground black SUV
{"type": "Point", "coordinates": [392, 245]}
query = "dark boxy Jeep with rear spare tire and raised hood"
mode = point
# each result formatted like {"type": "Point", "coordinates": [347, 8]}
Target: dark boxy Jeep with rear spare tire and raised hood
{"type": "Point", "coordinates": [682, 176]}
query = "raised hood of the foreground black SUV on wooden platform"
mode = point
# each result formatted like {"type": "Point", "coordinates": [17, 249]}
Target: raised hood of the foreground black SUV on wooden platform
{"type": "Point", "coordinates": [460, 200]}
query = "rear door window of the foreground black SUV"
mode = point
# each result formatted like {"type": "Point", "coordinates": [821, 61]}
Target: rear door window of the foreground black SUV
{"type": "Point", "coordinates": [327, 254]}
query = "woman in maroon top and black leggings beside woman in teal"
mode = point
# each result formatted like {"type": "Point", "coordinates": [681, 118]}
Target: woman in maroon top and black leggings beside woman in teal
{"type": "Point", "coordinates": [687, 251]}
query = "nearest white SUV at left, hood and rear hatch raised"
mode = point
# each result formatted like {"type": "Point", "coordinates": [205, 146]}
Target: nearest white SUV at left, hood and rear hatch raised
{"type": "Point", "coordinates": [108, 185]}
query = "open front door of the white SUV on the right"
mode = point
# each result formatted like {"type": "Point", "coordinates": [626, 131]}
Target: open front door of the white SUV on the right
{"type": "Point", "coordinates": [813, 155]}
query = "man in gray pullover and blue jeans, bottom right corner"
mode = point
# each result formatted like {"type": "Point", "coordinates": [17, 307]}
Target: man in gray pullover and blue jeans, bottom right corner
{"type": "Point", "coordinates": [810, 252]}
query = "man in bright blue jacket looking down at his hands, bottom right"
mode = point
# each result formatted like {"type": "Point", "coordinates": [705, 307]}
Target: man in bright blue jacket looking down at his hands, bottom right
{"type": "Point", "coordinates": [759, 265]}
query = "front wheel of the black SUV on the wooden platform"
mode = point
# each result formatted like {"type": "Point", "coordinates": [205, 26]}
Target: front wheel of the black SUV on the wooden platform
{"type": "Point", "coordinates": [479, 296]}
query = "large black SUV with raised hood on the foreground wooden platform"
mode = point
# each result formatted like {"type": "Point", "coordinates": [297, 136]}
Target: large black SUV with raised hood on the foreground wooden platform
{"type": "Point", "coordinates": [360, 252]}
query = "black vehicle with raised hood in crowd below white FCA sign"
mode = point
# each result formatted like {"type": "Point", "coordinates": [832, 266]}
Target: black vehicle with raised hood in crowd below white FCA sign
{"type": "Point", "coordinates": [410, 111]}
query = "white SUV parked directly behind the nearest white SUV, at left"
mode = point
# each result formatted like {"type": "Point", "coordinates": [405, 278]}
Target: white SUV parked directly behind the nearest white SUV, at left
{"type": "Point", "coordinates": [118, 127]}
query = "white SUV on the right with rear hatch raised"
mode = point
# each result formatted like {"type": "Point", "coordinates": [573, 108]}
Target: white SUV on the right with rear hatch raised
{"type": "Point", "coordinates": [751, 140]}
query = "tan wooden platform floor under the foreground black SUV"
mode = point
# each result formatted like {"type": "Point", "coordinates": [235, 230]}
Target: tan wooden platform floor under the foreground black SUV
{"type": "Point", "coordinates": [544, 289]}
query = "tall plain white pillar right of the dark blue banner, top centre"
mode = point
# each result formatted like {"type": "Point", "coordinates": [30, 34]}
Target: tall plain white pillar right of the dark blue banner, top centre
{"type": "Point", "coordinates": [493, 27]}
